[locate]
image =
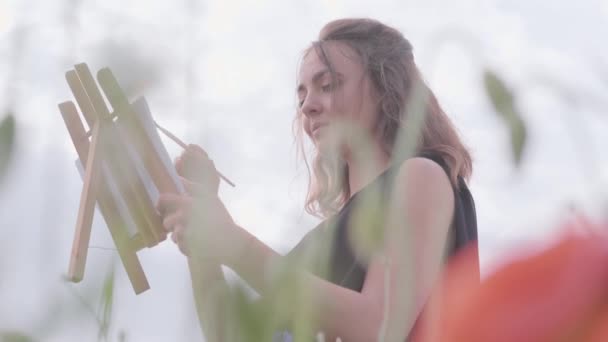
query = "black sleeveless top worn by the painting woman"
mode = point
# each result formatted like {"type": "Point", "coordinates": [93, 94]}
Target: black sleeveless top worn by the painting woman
{"type": "Point", "coordinates": [344, 267]}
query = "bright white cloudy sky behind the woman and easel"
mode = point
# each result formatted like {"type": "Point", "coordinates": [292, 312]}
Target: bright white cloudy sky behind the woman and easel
{"type": "Point", "coordinates": [243, 59]}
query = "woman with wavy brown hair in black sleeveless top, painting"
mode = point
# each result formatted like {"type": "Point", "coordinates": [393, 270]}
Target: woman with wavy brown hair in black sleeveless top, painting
{"type": "Point", "coordinates": [388, 168]}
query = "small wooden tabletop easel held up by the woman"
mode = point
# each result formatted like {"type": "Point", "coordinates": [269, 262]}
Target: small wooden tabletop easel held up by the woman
{"type": "Point", "coordinates": [107, 159]}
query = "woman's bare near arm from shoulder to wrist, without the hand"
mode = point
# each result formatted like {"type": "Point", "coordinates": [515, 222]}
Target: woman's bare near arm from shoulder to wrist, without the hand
{"type": "Point", "coordinates": [423, 208]}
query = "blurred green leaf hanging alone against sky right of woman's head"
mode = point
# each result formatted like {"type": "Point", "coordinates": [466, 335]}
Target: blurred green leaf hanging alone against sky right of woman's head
{"type": "Point", "coordinates": [504, 103]}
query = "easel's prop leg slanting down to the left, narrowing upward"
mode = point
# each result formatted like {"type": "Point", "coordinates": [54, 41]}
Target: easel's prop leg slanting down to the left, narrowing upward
{"type": "Point", "coordinates": [88, 198]}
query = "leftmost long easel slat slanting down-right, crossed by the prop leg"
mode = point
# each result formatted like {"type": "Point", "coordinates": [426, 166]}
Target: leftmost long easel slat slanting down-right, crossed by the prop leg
{"type": "Point", "coordinates": [107, 206]}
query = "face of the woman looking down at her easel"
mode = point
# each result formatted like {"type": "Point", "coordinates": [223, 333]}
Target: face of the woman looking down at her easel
{"type": "Point", "coordinates": [335, 113]}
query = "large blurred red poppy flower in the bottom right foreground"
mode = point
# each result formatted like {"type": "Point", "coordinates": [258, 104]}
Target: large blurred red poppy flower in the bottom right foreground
{"type": "Point", "coordinates": [557, 294]}
